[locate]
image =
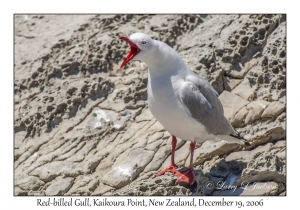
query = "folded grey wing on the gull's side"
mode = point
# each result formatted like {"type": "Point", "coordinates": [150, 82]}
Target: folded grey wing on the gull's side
{"type": "Point", "coordinates": [201, 102]}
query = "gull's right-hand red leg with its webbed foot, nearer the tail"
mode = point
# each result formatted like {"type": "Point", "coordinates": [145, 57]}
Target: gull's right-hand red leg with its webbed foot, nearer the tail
{"type": "Point", "coordinates": [187, 175]}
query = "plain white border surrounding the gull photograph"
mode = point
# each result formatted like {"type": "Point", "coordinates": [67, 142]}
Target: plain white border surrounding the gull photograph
{"type": "Point", "coordinates": [144, 6]}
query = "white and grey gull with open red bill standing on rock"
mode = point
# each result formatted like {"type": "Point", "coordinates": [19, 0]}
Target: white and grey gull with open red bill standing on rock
{"type": "Point", "coordinates": [183, 102]}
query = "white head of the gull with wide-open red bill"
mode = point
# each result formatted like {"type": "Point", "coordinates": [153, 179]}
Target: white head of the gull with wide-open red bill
{"type": "Point", "coordinates": [140, 45]}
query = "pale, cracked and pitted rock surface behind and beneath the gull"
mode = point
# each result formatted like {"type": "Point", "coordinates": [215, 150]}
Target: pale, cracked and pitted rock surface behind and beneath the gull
{"type": "Point", "coordinates": [82, 125]}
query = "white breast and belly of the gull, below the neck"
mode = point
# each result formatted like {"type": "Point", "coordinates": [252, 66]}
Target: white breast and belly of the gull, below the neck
{"type": "Point", "coordinates": [168, 110]}
